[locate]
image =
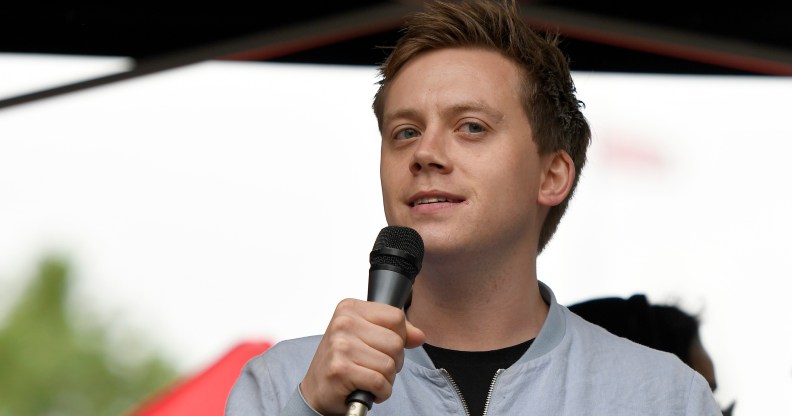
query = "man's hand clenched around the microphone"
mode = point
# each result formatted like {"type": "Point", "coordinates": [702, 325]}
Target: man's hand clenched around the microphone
{"type": "Point", "coordinates": [362, 349]}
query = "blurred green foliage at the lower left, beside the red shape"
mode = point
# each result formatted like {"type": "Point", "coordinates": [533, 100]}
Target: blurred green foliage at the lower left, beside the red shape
{"type": "Point", "coordinates": [52, 364]}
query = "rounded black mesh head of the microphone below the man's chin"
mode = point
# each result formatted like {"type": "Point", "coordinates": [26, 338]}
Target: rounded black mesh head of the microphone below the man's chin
{"type": "Point", "coordinates": [398, 246]}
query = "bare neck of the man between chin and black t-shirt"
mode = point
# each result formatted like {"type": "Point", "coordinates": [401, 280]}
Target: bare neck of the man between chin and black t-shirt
{"type": "Point", "coordinates": [477, 308]}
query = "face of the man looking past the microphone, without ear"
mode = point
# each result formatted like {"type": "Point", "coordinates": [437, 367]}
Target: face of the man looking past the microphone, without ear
{"type": "Point", "coordinates": [458, 161]}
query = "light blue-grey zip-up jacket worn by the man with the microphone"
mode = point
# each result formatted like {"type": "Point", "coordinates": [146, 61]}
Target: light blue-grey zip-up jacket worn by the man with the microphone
{"type": "Point", "coordinates": [572, 368]}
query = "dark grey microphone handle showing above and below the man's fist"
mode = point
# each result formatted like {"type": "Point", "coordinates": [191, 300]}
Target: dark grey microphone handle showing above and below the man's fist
{"type": "Point", "coordinates": [385, 286]}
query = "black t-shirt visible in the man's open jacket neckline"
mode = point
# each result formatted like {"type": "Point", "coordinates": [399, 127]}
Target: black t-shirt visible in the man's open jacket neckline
{"type": "Point", "coordinates": [473, 371]}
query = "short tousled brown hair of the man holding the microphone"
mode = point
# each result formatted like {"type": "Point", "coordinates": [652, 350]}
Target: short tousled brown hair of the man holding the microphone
{"type": "Point", "coordinates": [547, 89]}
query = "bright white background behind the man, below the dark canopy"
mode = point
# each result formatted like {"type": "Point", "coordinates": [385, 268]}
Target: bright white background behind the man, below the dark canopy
{"type": "Point", "coordinates": [224, 202]}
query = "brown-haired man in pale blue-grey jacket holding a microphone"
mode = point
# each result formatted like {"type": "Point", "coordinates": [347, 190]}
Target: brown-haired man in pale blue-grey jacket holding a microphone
{"type": "Point", "coordinates": [482, 145]}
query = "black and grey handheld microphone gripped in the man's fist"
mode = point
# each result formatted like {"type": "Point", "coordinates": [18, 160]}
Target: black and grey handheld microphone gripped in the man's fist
{"type": "Point", "coordinates": [395, 261]}
